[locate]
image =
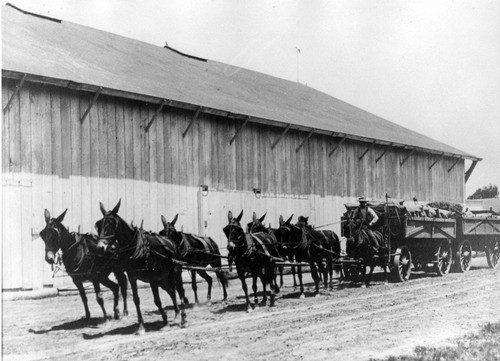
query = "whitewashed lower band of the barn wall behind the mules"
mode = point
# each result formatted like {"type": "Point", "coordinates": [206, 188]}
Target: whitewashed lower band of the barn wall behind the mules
{"type": "Point", "coordinates": [25, 196]}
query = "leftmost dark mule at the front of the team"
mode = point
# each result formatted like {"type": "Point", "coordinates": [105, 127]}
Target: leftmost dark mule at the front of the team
{"type": "Point", "coordinates": [83, 262]}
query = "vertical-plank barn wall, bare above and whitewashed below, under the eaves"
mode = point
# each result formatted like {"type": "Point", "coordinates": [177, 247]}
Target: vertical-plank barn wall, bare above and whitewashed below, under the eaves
{"type": "Point", "coordinates": [50, 159]}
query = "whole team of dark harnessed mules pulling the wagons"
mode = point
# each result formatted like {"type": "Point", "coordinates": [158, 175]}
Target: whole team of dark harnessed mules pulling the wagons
{"type": "Point", "coordinates": [158, 258]}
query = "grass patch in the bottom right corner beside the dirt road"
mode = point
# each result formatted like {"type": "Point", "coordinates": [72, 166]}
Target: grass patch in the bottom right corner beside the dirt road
{"type": "Point", "coordinates": [481, 346]}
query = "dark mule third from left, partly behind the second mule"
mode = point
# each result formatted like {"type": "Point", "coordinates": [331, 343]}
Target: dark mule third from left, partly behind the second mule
{"type": "Point", "coordinates": [199, 252]}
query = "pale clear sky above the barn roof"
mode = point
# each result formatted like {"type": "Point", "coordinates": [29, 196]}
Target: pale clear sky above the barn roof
{"type": "Point", "coordinates": [431, 66]}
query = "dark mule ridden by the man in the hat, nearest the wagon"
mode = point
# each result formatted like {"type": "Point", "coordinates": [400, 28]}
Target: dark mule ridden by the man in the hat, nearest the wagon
{"type": "Point", "coordinates": [359, 247]}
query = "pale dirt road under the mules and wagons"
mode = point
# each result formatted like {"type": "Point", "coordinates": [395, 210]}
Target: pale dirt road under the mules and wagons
{"type": "Point", "coordinates": [346, 323]}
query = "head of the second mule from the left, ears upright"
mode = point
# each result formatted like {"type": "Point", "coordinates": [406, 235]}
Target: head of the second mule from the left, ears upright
{"type": "Point", "coordinates": [107, 228]}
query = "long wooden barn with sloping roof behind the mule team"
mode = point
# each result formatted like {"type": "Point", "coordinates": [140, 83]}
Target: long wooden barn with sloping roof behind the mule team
{"type": "Point", "coordinates": [91, 117]}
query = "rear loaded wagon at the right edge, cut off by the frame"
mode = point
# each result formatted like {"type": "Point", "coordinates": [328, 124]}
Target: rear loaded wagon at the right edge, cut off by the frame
{"type": "Point", "coordinates": [479, 233]}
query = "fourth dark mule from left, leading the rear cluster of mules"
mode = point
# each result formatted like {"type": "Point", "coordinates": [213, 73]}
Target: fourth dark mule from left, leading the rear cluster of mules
{"type": "Point", "coordinates": [252, 254]}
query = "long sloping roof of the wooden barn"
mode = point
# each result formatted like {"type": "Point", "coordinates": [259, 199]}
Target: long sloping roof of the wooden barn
{"type": "Point", "coordinates": [69, 54]}
